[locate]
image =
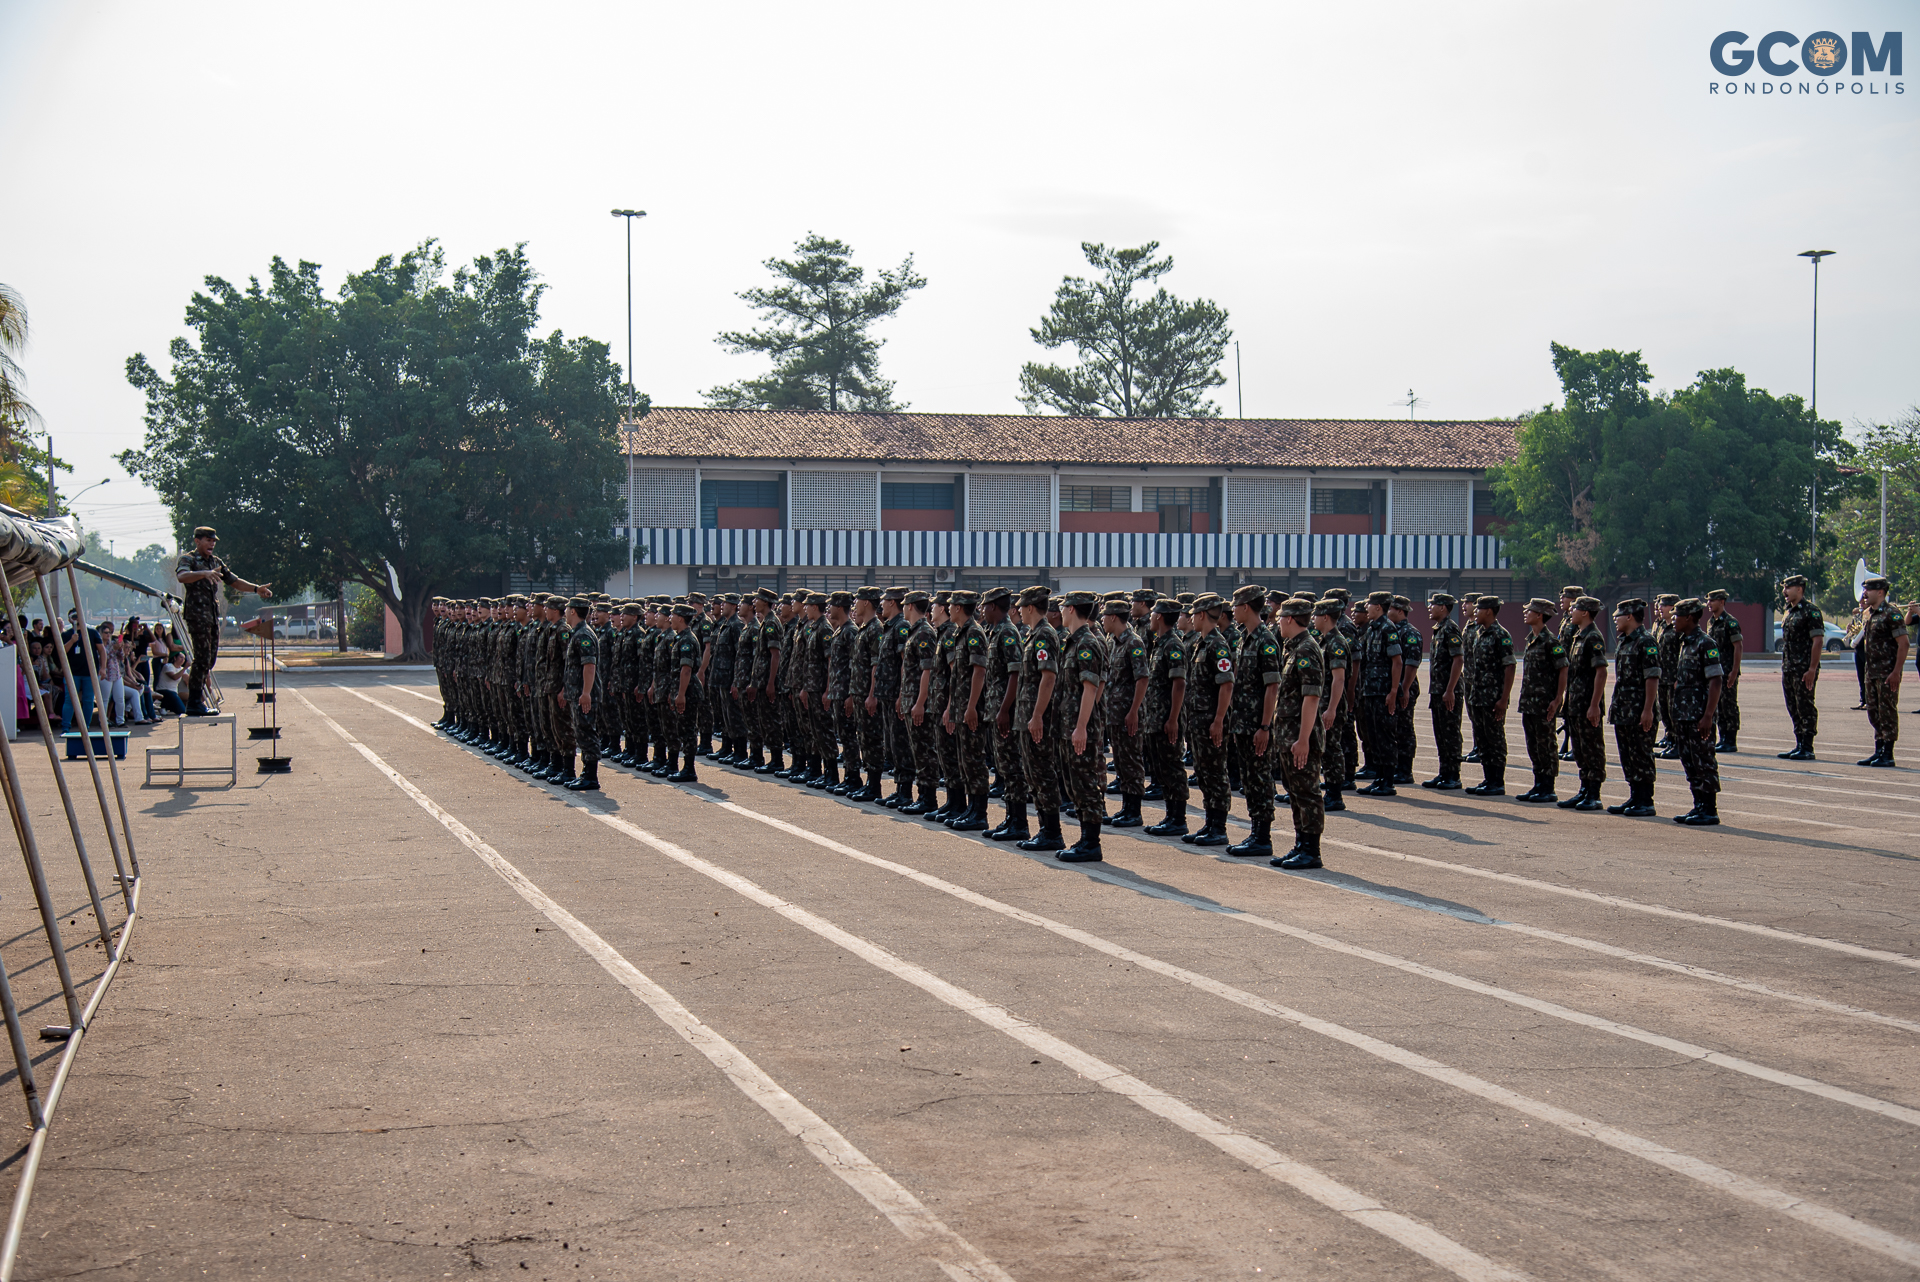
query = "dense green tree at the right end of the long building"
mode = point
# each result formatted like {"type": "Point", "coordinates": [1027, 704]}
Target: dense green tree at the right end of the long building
{"type": "Point", "coordinates": [1706, 487]}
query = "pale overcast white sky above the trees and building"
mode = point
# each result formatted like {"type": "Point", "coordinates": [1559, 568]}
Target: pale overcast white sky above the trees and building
{"type": "Point", "coordinates": [1385, 197]}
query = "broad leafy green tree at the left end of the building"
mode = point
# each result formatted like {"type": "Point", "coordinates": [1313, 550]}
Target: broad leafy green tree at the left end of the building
{"type": "Point", "coordinates": [402, 435]}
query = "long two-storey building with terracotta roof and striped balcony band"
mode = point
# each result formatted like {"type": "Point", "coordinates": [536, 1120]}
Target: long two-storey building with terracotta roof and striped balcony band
{"type": "Point", "coordinates": [731, 498]}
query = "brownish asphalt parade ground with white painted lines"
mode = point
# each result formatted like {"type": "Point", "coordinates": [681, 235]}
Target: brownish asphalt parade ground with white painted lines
{"type": "Point", "coordinates": [406, 1014]}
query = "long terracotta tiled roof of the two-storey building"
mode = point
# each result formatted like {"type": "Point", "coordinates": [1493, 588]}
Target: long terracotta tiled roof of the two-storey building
{"type": "Point", "coordinates": [777, 437]}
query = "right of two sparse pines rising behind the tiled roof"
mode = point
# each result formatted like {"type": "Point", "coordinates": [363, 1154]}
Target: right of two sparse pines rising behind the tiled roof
{"type": "Point", "coordinates": [1140, 358]}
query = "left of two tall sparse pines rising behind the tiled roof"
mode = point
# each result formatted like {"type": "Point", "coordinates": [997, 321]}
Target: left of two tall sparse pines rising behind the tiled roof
{"type": "Point", "coordinates": [819, 331]}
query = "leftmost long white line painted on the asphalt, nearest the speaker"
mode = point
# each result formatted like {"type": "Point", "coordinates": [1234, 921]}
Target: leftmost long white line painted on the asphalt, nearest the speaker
{"type": "Point", "coordinates": [949, 1250]}
